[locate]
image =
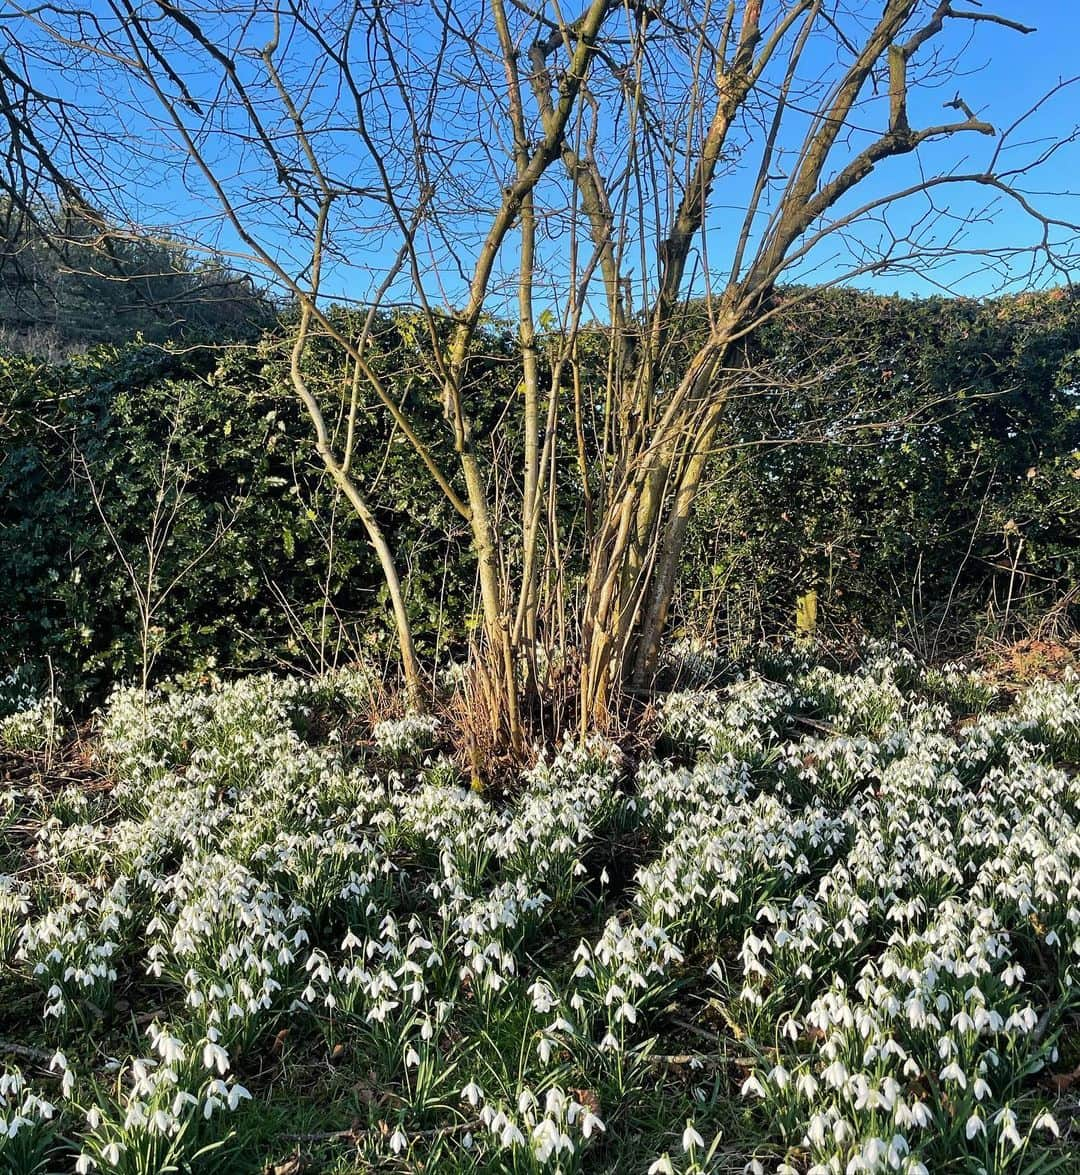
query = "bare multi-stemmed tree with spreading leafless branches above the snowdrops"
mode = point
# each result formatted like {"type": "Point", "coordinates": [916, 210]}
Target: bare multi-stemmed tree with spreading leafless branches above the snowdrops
{"type": "Point", "coordinates": [582, 176]}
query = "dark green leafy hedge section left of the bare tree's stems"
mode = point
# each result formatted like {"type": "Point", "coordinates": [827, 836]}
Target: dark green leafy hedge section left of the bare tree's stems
{"type": "Point", "coordinates": [273, 568]}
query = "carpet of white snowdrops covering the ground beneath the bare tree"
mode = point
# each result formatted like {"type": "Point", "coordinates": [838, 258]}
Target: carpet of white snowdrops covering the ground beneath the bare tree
{"type": "Point", "coordinates": [833, 925]}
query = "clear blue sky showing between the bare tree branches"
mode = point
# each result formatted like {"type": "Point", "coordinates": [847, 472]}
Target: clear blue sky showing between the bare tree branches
{"type": "Point", "coordinates": [1005, 75]}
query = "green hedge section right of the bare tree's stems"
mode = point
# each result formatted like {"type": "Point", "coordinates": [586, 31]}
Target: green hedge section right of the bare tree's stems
{"type": "Point", "coordinates": [917, 462]}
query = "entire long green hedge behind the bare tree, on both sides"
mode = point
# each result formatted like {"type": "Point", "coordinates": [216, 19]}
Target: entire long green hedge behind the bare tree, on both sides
{"type": "Point", "coordinates": [915, 462]}
